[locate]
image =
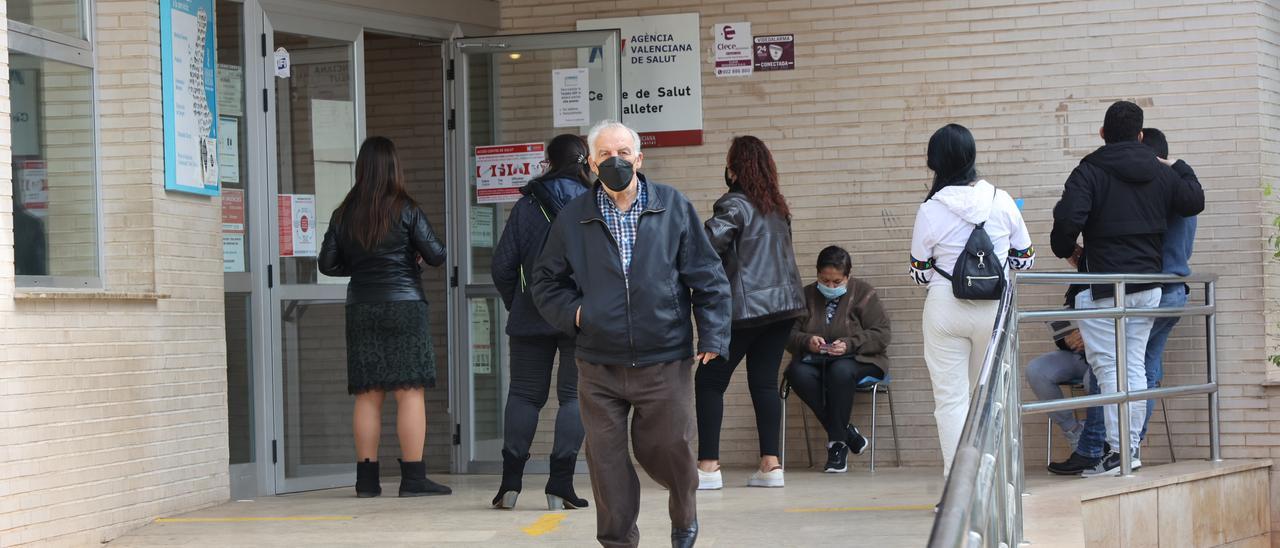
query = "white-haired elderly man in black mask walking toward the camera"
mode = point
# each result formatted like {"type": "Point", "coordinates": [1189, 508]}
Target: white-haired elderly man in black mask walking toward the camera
{"type": "Point", "coordinates": [627, 267]}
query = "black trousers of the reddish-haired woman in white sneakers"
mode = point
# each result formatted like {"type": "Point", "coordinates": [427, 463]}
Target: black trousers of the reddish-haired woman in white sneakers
{"type": "Point", "coordinates": [764, 348]}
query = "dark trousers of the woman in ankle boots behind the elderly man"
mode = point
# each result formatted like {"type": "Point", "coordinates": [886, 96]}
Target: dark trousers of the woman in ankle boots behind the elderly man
{"type": "Point", "coordinates": [532, 359]}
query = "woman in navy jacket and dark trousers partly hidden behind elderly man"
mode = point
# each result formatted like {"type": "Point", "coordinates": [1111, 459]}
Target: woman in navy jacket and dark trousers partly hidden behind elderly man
{"type": "Point", "coordinates": [534, 342]}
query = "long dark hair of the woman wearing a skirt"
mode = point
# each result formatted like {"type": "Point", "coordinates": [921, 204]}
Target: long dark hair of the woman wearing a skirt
{"type": "Point", "coordinates": [373, 207]}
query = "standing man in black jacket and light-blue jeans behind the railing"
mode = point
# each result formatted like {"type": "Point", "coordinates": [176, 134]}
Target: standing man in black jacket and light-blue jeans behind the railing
{"type": "Point", "coordinates": [1121, 199]}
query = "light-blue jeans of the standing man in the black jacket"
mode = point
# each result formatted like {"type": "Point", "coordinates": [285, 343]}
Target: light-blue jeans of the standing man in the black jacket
{"type": "Point", "coordinates": [1100, 349]}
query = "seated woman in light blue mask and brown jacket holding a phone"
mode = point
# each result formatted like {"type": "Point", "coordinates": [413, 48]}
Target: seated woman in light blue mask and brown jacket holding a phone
{"type": "Point", "coordinates": [840, 341]}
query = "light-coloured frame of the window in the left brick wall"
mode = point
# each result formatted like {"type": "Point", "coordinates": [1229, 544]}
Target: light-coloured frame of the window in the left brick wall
{"type": "Point", "coordinates": [40, 43]}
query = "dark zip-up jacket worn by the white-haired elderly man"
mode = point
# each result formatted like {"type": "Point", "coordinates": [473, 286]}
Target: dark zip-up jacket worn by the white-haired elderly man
{"type": "Point", "coordinates": [675, 277]}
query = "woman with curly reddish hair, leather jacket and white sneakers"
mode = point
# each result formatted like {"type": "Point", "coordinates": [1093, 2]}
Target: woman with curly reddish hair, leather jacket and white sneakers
{"type": "Point", "coordinates": [752, 232]}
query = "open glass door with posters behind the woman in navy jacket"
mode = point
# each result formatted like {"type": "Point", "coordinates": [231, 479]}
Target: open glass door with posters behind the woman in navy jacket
{"type": "Point", "coordinates": [509, 97]}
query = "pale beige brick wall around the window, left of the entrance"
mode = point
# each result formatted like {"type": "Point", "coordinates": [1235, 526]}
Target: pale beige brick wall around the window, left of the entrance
{"type": "Point", "coordinates": [113, 412]}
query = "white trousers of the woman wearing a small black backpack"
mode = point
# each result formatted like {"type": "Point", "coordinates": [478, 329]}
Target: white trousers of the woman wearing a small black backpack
{"type": "Point", "coordinates": [957, 335]}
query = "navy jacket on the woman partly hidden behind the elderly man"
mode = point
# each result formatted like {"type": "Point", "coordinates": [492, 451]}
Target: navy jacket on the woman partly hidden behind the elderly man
{"type": "Point", "coordinates": [518, 252]}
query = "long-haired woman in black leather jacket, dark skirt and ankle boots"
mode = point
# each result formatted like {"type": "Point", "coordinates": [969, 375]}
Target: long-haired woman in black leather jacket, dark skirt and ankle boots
{"type": "Point", "coordinates": [378, 236]}
